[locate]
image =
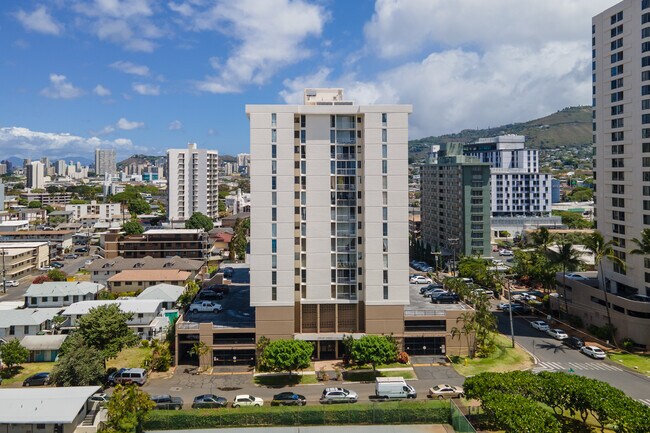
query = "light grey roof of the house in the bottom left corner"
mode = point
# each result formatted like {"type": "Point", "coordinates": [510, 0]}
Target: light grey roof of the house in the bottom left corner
{"type": "Point", "coordinates": [43, 405]}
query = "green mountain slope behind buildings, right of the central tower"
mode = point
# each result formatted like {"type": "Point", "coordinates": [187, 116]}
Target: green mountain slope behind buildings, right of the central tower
{"type": "Point", "coordinates": [570, 127]}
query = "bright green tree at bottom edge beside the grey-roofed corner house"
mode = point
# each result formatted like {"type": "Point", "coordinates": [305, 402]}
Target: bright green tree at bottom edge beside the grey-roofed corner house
{"type": "Point", "coordinates": [127, 409]}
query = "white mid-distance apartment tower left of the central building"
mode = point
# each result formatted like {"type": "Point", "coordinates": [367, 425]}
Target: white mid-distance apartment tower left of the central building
{"type": "Point", "coordinates": [192, 182]}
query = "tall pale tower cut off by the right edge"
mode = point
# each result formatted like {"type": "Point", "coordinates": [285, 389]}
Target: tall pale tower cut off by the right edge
{"type": "Point", "coordinates": [621, 137]}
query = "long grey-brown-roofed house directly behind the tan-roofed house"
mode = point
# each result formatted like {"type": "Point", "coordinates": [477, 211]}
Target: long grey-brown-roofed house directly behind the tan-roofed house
{"type": "Point", "coordinates": [103, 269]}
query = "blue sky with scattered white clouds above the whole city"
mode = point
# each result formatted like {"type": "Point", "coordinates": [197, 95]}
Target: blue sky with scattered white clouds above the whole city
{"type": "Point", "coordinates": [143, 76]}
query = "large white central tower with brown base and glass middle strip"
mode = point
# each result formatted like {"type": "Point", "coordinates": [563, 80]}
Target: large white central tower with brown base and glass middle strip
{"type": "Point", "coordinates": [329, 228]}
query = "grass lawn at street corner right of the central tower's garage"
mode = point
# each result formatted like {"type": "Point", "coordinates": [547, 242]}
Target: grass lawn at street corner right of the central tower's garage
{"type": "Point", "coordinates": [503, 359]}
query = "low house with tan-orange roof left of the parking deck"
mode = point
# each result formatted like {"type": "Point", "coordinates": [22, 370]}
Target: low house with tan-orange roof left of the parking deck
{"type": "Point", "coordinates": [135, 280]}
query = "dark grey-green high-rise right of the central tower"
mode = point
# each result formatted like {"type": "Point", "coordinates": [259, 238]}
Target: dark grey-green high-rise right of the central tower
{"type": "Point", "coordinates": [455, 203]}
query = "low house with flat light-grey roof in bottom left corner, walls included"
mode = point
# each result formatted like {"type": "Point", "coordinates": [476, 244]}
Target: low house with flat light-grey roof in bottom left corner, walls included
{"type": "Point", "coordinates": [49, 410]}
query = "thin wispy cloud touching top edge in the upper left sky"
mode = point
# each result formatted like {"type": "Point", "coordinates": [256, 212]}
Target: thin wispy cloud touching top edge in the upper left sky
{"type": "Point", "coordinates": [129, 23]}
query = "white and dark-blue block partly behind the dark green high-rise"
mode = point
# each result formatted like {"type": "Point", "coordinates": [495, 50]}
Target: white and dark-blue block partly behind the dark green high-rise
{"type": "Point", "coordinates": [518, 189]}
